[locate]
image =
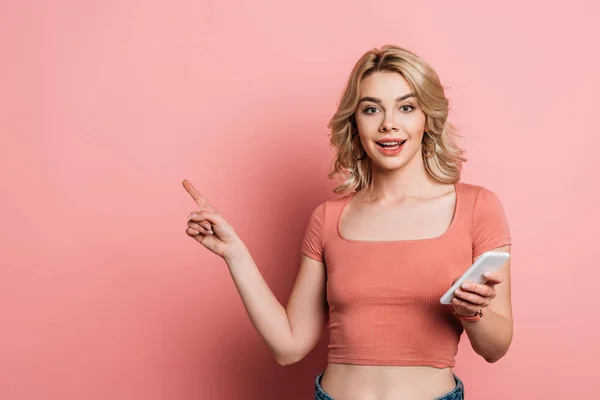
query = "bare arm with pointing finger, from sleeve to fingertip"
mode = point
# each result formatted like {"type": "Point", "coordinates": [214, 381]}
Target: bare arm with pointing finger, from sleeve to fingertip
{"type": "Point", "coordinates": [290, 333]}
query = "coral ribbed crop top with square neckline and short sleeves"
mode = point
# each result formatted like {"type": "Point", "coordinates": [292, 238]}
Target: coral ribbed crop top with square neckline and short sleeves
{"type": "Point", "coordinates": [384, 296]}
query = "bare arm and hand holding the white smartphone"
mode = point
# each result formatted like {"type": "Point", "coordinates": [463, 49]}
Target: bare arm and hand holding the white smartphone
{"type": "Point", "coordinates": [491, 335]}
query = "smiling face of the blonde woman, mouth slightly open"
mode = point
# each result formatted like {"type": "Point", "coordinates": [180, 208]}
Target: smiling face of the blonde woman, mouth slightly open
{"type": "Point", "coordinates": [389, 121]}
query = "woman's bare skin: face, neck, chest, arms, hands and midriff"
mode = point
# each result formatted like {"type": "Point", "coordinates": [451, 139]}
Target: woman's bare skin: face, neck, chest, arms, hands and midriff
{"type": "Point", "coordinates": [402, 190]}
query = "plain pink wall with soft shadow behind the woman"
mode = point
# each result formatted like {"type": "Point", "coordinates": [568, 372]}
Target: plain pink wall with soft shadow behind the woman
{"type": "Point", "coordinates": [106, 106]}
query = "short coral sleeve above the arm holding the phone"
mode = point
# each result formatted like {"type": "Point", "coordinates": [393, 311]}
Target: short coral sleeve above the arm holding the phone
{"type": "Point", "coordinates": [490, 225]}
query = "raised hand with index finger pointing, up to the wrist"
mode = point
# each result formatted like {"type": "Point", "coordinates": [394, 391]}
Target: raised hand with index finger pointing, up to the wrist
{"type": "Point", "coordinates": [209, 228]}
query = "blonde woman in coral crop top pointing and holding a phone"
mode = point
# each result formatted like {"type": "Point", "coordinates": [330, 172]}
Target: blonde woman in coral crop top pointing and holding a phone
{"type": "Point", "coordinates": [377, 260]}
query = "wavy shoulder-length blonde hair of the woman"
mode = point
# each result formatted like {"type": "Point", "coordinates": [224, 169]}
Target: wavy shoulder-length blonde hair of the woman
{"type": "Point", "coordinates": [442, 157]}
